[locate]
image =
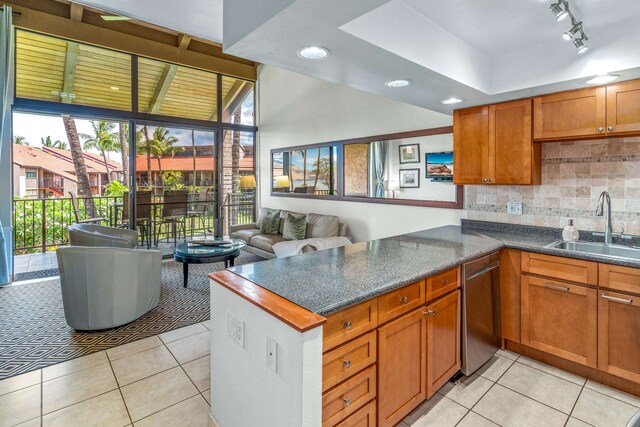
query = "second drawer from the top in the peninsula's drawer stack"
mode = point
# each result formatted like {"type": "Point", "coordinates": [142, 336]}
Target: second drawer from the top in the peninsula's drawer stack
{"type": "Point", "coordinates": [346, 360]}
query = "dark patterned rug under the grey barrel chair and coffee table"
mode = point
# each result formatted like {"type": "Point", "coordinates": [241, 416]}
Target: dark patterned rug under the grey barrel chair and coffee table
{"type": "Point", "coordinates": [34, 333]}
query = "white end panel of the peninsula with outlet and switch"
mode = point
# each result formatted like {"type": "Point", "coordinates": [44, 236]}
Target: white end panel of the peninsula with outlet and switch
{"type": "Point", "coordinates": [244, 392]}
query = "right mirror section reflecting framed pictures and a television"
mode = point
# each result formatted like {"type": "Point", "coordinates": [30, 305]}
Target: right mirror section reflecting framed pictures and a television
{"type": "Point", "coordinates": [418, 168]}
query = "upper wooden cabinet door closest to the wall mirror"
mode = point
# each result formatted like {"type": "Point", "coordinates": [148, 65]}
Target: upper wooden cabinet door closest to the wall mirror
{"type": "Point", "coordinates": [471, 145]}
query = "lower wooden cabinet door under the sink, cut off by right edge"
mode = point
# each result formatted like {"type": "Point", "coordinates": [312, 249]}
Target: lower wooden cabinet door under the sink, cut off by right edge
{"type": "Point", "coordinates": [619, 334]}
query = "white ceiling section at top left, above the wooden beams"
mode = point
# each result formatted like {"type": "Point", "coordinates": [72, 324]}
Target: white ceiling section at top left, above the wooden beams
{"type": "Point", "coordinates": [200, 18]}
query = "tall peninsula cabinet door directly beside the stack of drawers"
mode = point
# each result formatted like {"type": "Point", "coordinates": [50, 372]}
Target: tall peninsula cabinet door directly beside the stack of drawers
{"type": "Point", "coordinates": [402, 349]}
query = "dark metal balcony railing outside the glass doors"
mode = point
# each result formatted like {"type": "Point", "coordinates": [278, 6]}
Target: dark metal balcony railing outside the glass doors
{"type": "Point", "coordinates": [40, 225]}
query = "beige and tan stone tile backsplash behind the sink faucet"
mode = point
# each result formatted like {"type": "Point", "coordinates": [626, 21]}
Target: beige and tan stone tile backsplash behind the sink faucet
{"type": "Point", "coordinates": [573, 176]}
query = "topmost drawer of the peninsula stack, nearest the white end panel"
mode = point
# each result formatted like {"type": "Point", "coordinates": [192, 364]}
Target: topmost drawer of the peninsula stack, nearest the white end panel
{"type": "Point", "coordinates": [350, 323]}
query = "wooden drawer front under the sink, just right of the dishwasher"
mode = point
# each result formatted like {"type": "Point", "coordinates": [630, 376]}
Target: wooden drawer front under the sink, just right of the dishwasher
{"type": "Point", "coordinates": [573, 270]}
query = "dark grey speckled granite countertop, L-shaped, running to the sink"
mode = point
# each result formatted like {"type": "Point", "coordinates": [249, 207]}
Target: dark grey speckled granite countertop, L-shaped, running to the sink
{"type": "Point", "coordinates": [328, 281]}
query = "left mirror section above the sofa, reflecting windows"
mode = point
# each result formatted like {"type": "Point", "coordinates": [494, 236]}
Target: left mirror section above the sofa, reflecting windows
{"type": "Point", "coordinates": [308, 171]}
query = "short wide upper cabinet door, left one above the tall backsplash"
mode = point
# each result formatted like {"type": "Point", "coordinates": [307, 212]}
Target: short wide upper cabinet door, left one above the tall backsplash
{"type": "Point", "coordinates": [567, 115]}
